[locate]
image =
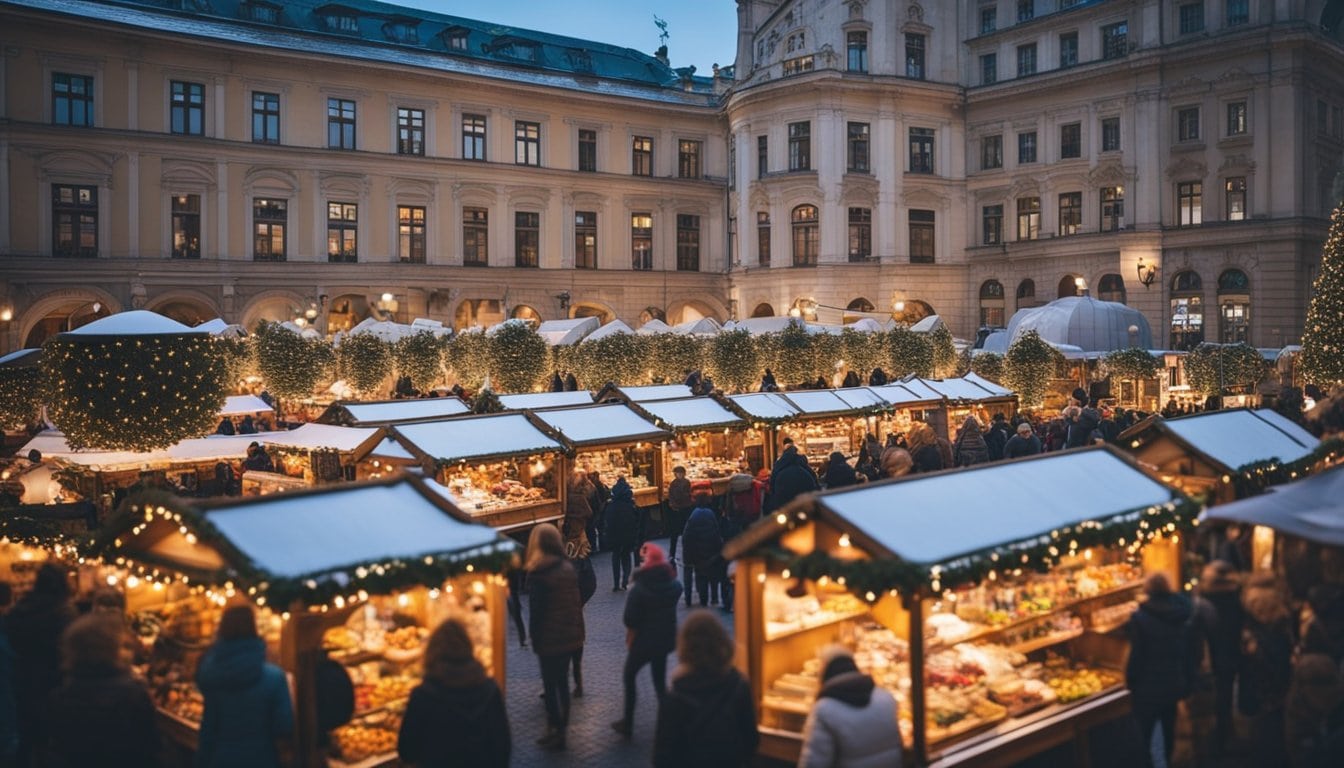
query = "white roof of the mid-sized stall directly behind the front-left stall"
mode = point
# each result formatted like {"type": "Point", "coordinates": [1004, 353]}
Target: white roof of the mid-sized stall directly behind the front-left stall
{"type": "Point", "coordinates": [475, 438]}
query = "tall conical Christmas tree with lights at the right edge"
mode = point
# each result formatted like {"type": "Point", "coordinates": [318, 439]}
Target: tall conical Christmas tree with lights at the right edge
{"type": "Point", "coordinates": [1323, 338]}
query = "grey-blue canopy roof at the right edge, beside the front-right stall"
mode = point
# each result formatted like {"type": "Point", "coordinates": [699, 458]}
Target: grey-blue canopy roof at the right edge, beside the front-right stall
{"type": "Point", "coordinates": [1311, 509]}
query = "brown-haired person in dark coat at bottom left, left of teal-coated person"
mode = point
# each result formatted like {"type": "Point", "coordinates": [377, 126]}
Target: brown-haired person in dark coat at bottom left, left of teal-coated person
{"type": "Point", "coordinates": [107, 718]}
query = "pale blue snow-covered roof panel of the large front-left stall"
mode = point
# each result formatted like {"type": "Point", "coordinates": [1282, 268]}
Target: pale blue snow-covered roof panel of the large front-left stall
{"type": "Point", "coordinates": [300, 535]}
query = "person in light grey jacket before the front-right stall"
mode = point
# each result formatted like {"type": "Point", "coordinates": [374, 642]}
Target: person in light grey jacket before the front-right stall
{"type": "Point", "coordinates": [853, 723]}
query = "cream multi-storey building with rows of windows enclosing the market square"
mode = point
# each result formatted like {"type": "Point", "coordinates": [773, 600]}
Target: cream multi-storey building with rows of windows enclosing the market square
{"type": "Point", "coordinates": [326, 162]}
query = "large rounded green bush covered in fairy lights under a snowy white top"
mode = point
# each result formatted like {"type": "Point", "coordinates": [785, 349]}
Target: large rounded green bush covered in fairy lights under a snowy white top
{"type": "Point", "coordinates": [134, 393]}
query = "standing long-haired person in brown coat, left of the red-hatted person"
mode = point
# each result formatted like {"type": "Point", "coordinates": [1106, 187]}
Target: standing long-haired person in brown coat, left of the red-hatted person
{"type": "Point", "coordinates": [556, 621]}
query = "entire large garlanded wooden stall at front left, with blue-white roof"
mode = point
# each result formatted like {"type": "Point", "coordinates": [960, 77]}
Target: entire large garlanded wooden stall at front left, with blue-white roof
{"type": "Point", "coordinates": [357, 574]}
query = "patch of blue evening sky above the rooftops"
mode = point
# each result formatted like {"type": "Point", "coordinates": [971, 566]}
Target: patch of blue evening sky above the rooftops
{"type": "Point", "coordinates": [701, 33]}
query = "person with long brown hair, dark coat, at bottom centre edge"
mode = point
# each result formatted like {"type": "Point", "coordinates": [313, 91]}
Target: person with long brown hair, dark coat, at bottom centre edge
{"type": "Point", "coordinates": [709, 719]}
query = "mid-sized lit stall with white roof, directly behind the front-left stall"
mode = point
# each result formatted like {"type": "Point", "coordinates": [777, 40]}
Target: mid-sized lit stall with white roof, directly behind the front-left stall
{"type": "Point", "coordinates": [502, 469]}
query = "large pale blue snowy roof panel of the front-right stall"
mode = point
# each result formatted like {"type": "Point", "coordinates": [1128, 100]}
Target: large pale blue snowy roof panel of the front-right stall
{"type": "Point", "coordinates": [937, 517]}
